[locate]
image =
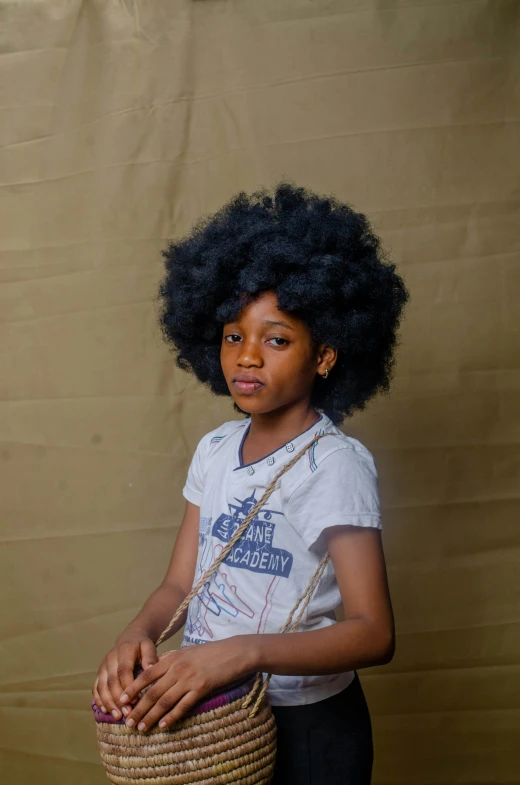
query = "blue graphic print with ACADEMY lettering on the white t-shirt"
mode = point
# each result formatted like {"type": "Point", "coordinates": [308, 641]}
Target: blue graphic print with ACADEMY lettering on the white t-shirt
{"type": "Point", "coordinates": [254, 552]}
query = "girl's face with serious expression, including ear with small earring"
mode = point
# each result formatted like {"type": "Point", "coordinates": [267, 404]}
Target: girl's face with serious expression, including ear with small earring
{"type": "Point", "coordinates": [269, 358]}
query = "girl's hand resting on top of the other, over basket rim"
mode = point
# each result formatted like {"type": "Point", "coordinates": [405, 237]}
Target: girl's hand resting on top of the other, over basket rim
{"type": "Point", "coordinates": [184, 677]}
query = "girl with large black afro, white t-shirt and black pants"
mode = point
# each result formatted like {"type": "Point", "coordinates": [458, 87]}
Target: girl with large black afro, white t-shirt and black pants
{"type": "Point", "coordinates": [286, 303]}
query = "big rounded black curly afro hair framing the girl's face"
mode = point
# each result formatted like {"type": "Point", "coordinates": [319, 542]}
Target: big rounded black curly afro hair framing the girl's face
{"type": "Point", "coordinates": [324, 263]}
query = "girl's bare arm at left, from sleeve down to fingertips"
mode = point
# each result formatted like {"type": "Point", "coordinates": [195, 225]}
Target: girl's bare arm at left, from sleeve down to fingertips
{"type": "Point", "coordinates": [137, 641]}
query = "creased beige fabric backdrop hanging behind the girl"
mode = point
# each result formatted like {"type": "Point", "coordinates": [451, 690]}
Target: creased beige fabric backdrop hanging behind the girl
{"type": "Point", "coordinates": [123, 121]}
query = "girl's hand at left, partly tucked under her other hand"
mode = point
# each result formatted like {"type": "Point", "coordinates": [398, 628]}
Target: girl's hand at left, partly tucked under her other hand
{"type": "Point", "coordinates": [116, 672]}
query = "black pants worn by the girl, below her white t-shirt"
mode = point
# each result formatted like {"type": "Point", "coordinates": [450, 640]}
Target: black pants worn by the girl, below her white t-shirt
{"type": "Point", "coordinates": [325, 743]}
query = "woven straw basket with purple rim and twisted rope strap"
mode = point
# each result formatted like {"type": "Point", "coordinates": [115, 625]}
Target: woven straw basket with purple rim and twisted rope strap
{"type": "Point", "coordinates": [228, 737]}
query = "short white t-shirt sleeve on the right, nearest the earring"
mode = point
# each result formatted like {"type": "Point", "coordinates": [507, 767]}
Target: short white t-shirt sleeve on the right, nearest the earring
{"type": "Point", "coordinates": [342, 490]}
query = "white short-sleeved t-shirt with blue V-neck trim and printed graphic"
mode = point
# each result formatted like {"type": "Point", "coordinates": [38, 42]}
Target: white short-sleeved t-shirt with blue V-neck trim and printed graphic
{"type": "Point", "coordinates": [261, 579]}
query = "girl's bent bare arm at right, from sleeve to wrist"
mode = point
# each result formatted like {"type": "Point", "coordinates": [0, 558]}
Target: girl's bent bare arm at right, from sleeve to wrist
{"type": "Point", "coordinates": [366, 637]}
